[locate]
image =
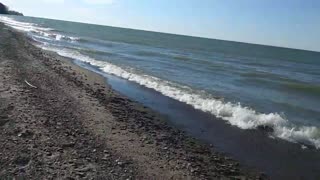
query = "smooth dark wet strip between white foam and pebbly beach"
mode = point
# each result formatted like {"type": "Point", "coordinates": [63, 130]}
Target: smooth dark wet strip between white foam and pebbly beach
{"type": "Point", "coordinates": [277, 158]}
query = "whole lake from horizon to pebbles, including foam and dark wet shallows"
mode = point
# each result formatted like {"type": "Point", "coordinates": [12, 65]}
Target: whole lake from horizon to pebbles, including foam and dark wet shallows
{"type": "Point", "coordinates": [193, 80]}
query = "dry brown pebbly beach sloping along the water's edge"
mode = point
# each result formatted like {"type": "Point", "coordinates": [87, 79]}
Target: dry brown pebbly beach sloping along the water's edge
{"type": "Point", "coordinates": [59, 120]}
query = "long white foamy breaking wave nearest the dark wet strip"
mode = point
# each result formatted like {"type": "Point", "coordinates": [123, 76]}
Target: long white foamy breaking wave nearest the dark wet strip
{"type": "Point", "coordinates": [234, 114]}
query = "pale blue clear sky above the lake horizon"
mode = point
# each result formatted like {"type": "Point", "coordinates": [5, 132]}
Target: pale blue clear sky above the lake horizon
{"type": "Point", "coordinates": [285, 23]}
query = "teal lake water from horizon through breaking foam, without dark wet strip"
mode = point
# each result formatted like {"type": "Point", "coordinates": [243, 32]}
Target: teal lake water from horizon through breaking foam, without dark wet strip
{"type": "Point", "coordinates": [246, 85]}
